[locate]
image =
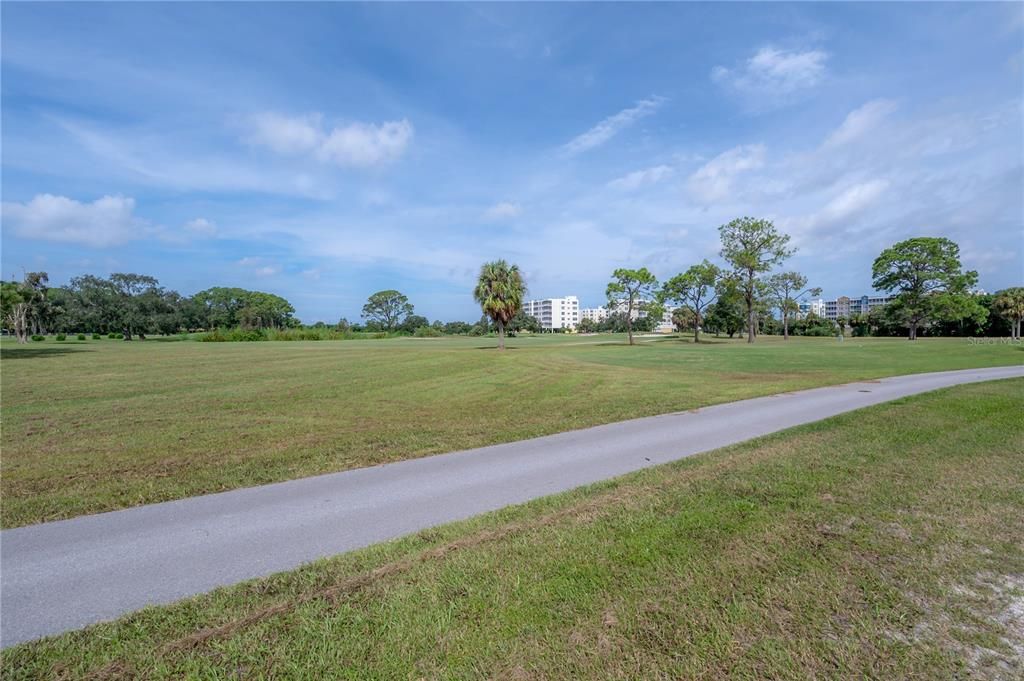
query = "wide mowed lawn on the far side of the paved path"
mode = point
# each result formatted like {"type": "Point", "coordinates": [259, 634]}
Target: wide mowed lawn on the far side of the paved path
{"type": "Point", "coordinates": [101, 425]}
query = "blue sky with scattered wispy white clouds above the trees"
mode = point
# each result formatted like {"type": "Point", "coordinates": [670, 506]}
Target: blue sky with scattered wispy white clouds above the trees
{"type": "Point", "coordinates": [324, 152]}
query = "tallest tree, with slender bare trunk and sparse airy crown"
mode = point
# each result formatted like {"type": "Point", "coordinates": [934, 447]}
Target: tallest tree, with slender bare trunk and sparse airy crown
{"type": "Point", "coordinates": [752, 246]}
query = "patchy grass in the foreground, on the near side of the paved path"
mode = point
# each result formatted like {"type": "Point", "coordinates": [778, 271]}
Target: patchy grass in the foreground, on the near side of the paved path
{"type": "Point", "coordinates": [886, 543]}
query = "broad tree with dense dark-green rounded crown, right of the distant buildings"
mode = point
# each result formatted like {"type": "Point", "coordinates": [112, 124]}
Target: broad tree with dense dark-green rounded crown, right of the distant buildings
{"type": "Point", "coordinates": [926, 273]}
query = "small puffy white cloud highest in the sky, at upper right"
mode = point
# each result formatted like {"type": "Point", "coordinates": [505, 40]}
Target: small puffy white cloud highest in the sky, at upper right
{"type": "Point", "coordinates": [774, 72]}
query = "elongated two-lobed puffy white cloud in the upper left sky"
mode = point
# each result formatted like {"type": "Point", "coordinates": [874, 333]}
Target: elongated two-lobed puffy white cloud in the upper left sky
{"type": "Point", "coordinates": [356, 145]}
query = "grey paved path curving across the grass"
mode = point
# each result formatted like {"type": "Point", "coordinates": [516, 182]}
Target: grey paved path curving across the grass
{"type": "Point", "coordinates": [62, 576]}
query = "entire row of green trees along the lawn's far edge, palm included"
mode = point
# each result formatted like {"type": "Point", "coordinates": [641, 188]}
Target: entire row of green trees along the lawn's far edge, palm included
{"type": "Point", "coordinates": [932, 294]}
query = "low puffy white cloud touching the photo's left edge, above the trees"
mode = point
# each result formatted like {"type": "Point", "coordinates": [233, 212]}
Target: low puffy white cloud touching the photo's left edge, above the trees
{"type": "Point", "coordinates": [107, 222]}
